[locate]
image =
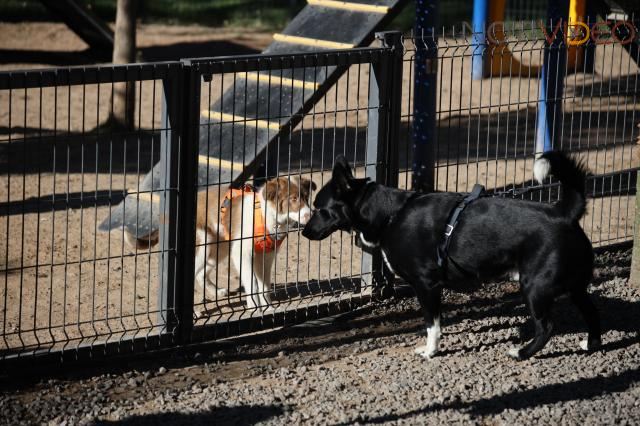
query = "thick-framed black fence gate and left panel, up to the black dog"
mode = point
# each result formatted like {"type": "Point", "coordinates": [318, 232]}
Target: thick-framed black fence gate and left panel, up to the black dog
{"type": "Point", "coordinates": [98, 222]}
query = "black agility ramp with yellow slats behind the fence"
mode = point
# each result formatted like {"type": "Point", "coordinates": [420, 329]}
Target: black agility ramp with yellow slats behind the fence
{"type": "Point", "coordinates": [251, 121]}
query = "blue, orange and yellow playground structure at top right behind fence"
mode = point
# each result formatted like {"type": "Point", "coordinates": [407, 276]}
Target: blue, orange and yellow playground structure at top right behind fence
{"type": "Point", "coordinates": [564, 54]}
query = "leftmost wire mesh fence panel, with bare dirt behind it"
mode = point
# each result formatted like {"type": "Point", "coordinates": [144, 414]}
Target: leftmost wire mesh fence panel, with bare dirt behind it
{"type": "Point", "coordinates": [65, 283]}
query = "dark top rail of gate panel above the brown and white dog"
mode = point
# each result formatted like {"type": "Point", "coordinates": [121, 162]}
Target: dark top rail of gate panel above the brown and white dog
{"type": "Point", "coordinates": [263, 62]}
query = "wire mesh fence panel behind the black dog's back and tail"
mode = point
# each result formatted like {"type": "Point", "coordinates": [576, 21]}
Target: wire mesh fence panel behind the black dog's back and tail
{"type": "Point", "coordinates": [487, 129]}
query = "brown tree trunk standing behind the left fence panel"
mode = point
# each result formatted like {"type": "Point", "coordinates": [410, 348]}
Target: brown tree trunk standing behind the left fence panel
{"type": "Point", "coordinates": [124, 52]}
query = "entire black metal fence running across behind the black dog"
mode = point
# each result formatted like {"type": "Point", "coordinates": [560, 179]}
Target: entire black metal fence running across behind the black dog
{"type": "Point", "coordinates": [70, 288]}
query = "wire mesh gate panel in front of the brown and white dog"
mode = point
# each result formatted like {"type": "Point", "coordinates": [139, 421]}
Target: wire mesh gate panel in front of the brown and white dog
{"type": "Point", "coordinates": [286, 123]}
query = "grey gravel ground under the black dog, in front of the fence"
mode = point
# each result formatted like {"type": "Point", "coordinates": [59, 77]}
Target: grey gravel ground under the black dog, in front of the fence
{"type": "Point", "coordinates": [363, 370]}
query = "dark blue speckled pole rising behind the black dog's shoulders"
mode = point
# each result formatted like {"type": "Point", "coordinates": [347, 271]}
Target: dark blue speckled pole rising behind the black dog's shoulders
{"type": "Point", "coordinates": [424, 95]}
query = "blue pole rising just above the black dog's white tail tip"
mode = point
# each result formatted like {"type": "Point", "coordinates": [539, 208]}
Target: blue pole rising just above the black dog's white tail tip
{"type": "Point", "coordinates": [549, 121]}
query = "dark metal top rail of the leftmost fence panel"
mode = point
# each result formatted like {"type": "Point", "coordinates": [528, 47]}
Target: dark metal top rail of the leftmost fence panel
{"type": "Point", "coordinates": [79, 75]}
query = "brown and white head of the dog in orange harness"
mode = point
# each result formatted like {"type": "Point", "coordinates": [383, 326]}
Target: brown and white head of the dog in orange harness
{"type": "Point", "coordinates": [289, 198]}
